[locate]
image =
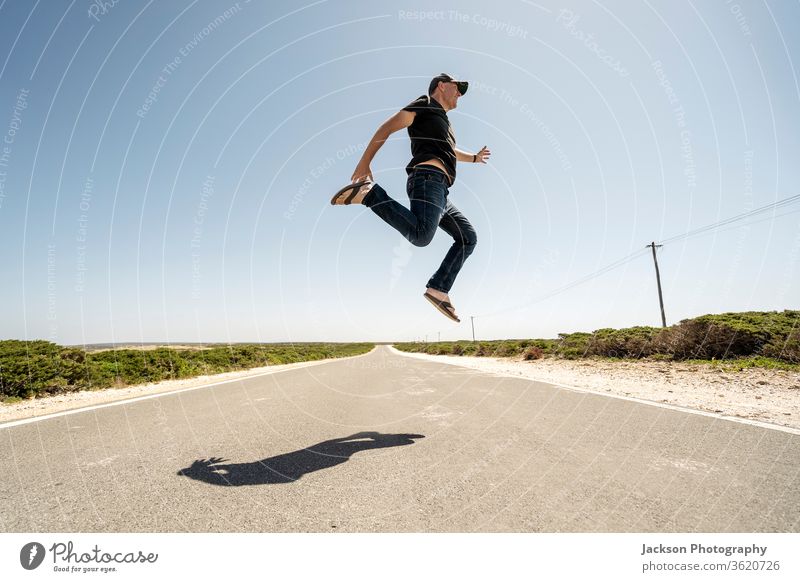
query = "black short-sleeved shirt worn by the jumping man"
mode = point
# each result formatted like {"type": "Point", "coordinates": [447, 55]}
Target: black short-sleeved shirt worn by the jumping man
{"type": "Point", "coordinates": [431, 135]}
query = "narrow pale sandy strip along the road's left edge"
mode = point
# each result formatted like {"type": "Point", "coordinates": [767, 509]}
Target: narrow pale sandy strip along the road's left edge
{"type": "Point", "coordinates": [76, 400]}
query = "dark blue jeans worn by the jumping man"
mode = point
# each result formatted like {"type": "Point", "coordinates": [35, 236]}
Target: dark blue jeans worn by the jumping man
{"type": "Point", "coordinates": [430, 208]}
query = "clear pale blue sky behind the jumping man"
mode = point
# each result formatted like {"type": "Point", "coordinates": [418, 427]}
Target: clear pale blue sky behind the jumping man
{"type": "Point", "coordinates": [166, 168]}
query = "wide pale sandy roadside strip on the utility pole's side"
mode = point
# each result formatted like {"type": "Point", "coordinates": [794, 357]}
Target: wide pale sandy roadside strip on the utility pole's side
{"type": "Point", "coordinates": [771, 396]}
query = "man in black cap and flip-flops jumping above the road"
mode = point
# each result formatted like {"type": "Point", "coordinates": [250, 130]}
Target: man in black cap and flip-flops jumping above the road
{"type": "Point", "coordinates": [431, 172]}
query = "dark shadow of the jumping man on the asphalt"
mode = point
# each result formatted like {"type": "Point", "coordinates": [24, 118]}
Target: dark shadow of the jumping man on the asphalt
{"type": "Point", "coordinates": [291, 466]}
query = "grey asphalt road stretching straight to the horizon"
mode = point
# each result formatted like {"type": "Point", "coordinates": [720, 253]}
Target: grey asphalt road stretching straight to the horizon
{"type": "Point", "coordinates": [384, 442]}
